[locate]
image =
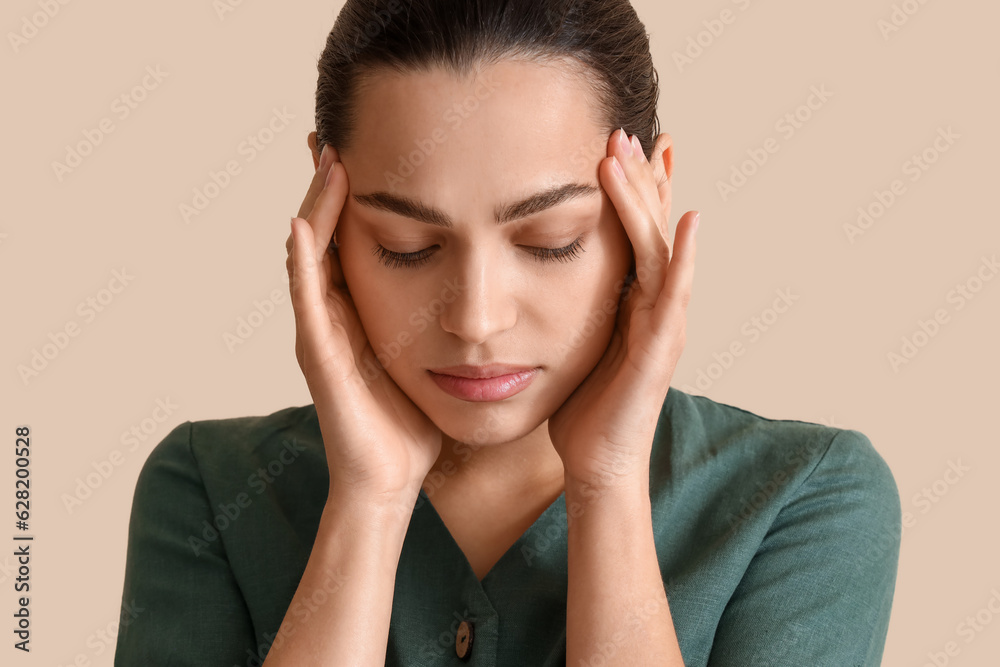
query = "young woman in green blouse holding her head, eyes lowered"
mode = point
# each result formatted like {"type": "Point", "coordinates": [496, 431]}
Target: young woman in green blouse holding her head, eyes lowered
{"type": "Point", "coordinates": [495, 468]}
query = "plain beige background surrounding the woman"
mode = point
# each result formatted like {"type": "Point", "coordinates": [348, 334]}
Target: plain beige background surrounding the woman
{"type": "Point", "coordinates": [825, 359]}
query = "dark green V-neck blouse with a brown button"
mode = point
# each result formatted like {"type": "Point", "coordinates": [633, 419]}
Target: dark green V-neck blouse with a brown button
{"type": "Point", "coordinates": [778, 542]}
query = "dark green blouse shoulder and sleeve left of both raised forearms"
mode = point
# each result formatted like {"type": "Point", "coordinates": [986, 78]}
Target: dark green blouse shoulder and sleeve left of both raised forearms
{"type": "Point", "coordinates": [225, 511]}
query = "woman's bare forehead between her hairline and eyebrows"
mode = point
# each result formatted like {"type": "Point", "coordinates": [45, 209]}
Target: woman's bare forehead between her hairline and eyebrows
{"type": "Point", "coordinates": [513, 110]}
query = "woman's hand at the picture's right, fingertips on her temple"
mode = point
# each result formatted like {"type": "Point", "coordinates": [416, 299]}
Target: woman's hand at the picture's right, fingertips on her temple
{"type": "Point", "coordinates": [604, 431]}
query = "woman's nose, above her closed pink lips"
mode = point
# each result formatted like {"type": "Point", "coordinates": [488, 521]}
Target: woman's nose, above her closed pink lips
{"type": "Point", "coordinates": [485, 305]}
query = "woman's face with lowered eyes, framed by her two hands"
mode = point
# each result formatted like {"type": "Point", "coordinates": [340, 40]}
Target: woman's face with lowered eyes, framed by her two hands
{"type": "Point", "coordinates": [438, 281]}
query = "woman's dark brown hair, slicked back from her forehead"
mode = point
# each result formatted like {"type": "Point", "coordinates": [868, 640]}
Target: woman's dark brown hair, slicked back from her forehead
{"type": "Point", "coordinates": [462, 36]}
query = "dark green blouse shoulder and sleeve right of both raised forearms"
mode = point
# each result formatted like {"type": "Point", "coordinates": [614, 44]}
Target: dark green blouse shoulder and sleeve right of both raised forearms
{"type": "Point", "coordinates": [748, 510]}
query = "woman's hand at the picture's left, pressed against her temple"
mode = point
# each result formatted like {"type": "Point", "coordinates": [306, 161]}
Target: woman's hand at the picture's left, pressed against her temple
{"type": "Point", "coordinates": [379, 444]}
